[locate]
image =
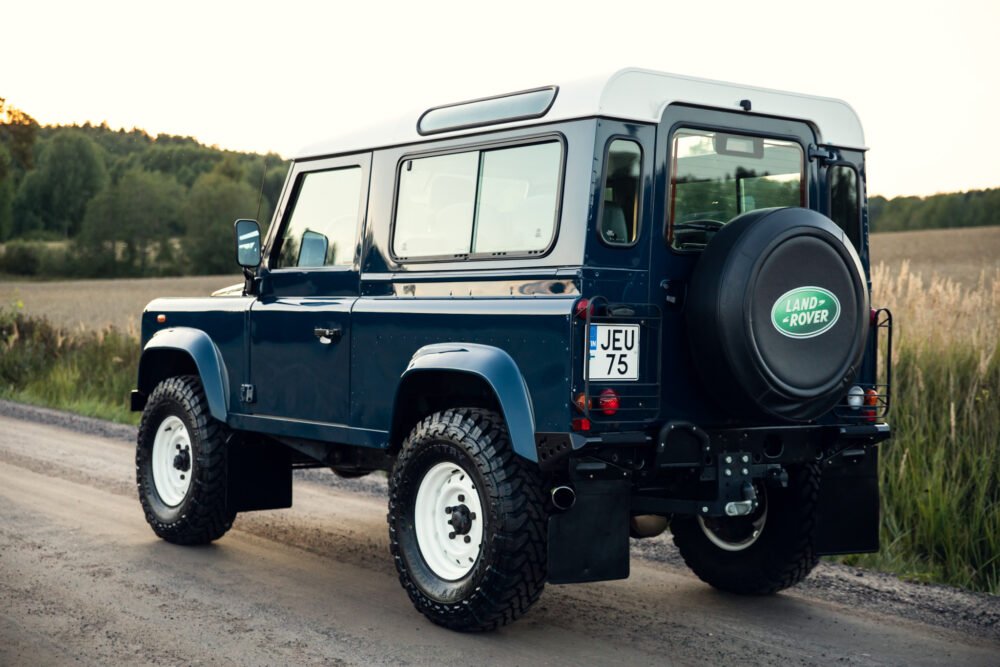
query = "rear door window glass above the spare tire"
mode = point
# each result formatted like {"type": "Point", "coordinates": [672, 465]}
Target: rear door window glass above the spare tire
{"type": "Point", "coordinates": [717, 176]}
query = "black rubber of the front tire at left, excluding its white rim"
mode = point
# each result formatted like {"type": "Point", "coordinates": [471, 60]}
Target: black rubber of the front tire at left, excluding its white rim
{"type": "Point", "coordinates": [202, 515]}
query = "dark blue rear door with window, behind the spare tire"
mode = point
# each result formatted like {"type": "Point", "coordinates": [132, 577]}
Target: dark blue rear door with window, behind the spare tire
{"type": "Point", "coordinates": [711, 166]}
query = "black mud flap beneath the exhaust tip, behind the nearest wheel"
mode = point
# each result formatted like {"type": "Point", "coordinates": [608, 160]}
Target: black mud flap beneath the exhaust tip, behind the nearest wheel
{"type": "Point", "coordinates": [590, 541]}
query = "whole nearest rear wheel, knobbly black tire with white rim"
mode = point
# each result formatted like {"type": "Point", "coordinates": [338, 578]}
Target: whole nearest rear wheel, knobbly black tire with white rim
{"type": "Point", "coordinates": [467, 522]}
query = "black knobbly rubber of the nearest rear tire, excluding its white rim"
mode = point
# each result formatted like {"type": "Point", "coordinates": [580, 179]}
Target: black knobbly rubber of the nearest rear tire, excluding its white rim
{"type": "Point", "coordinates": [509, 573]}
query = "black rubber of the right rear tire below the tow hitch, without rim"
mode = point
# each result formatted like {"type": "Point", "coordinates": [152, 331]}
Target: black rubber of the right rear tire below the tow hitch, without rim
{"type": "Point", "coordinates": [781, 557]}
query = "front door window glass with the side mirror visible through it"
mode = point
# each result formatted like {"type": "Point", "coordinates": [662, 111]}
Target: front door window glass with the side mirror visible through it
{"type": "Point", "coordinates": [322, 227]}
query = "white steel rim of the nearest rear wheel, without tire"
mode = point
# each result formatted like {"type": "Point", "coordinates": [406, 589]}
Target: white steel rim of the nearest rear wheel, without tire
{"type": "Point", "coordinates": [448, 521]}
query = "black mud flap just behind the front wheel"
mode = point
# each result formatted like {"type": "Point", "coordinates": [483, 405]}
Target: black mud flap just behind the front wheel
{"type": "Point", "coordinates": [259, 476]}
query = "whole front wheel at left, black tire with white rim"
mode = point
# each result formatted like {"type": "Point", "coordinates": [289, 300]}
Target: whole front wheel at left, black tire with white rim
{"type": "Point", "coordinates": [180, 464]}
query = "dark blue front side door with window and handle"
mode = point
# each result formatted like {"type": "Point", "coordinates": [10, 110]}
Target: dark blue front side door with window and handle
{"type": "Point", "coordinates": [300, 326]}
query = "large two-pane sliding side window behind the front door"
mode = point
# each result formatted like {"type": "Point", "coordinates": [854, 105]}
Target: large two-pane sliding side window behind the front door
{"type": "Point", "coordinates": [478, 203]}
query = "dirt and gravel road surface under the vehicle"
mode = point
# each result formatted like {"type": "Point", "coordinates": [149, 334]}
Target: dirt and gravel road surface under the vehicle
{"type": "Point", "coordinates": [84, 581]}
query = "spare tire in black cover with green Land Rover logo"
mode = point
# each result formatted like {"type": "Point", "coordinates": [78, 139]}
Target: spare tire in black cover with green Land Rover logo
{"type": "Point", "coordinates": [777, 315]}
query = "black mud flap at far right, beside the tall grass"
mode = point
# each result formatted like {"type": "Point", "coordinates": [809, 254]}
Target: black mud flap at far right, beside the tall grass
{"type": "Point", "coordinates": [848, 520]}
